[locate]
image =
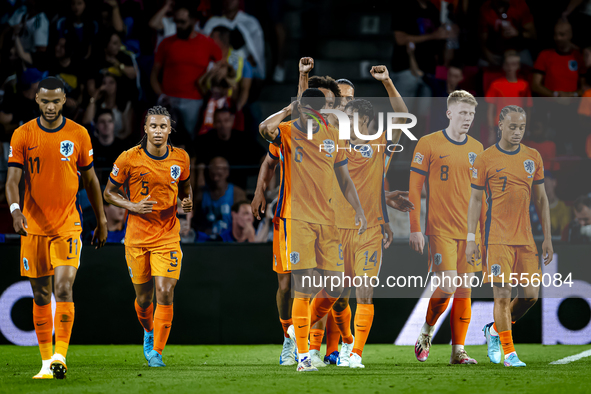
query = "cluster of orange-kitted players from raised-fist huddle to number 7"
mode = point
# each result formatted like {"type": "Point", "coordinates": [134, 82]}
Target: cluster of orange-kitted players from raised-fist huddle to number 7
{"type": "Point", "coordinates": [321, 174]}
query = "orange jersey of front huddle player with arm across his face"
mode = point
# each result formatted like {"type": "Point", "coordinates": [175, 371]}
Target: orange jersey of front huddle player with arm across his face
{"type": "Point", "coordinates": [309, 172]}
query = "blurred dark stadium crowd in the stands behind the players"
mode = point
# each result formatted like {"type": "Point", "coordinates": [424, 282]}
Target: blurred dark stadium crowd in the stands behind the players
{"type": "Point", "coordinates": [220, 66]}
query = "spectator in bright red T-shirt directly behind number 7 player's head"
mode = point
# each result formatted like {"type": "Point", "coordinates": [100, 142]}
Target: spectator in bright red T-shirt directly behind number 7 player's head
{"type": "Point", "coordinates": [508, 90]}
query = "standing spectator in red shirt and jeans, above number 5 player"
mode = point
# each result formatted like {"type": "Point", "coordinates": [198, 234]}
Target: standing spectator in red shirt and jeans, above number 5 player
{"type": "Point", "coordinates": [183, 59]}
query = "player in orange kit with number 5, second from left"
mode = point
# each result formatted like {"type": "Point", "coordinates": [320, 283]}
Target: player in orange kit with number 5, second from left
{"type": "Point", "coordinates": [155, 175]}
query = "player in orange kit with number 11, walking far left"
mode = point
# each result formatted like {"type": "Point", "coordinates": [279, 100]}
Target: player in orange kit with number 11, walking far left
{"type": "Point", "coordinates": [51, 150]}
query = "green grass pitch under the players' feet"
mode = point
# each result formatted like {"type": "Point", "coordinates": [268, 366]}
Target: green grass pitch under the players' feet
{"type": "Point", "coordinates": [255, 369]}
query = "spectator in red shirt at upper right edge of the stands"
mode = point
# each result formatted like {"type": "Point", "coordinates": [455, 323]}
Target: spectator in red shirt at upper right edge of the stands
{"type": "Point", "coordinates": [558, 71]}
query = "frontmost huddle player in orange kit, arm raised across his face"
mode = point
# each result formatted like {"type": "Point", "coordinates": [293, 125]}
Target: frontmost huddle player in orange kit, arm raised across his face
{"type": "Point", "coordinates": [309, 238]}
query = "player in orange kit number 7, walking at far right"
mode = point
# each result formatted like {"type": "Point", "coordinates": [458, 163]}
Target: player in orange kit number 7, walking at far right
{"type": "Point", "coordinates": [508, 171]}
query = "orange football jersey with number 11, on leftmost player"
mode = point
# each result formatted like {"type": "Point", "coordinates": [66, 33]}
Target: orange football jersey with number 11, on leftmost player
{"type": "Point", "coordinates": [51, 160]}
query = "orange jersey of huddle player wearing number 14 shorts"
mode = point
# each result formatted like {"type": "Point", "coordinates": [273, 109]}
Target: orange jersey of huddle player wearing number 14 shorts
{"type": "Point", "coordinates": [367, 166]}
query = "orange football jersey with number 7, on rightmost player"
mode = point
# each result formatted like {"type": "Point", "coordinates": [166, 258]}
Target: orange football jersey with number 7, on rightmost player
{"type": "Point", "coordinates": [507, 179]}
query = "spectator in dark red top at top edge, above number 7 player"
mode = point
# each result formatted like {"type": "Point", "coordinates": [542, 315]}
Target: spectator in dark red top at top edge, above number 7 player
{"type": "Point", "coordinates": [505, 25]}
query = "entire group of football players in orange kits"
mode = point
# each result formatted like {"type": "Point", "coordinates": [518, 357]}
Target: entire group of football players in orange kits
{"type": "Point", "coordinates": [330, 220]}
